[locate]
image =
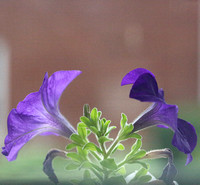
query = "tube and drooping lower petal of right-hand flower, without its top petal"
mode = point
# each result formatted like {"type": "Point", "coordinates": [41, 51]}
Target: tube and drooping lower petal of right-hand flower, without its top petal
{"type": "Point", "coordinates": [164, 115]}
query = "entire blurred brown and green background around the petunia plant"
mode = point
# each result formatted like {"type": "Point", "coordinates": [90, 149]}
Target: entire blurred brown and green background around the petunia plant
{"type": "Point", "coordinates": [105, 40]}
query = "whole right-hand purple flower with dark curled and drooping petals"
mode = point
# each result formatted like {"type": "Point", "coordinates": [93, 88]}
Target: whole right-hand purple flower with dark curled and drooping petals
{"type": "Point", "coordinates": [160, 113]}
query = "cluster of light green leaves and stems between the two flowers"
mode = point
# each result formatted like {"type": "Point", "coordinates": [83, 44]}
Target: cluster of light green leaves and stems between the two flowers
{"type": "Point", "coordinates": [96, 160]}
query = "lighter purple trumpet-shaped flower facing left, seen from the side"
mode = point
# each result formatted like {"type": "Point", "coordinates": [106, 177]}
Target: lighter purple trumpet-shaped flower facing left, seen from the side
{"type": "Point", "coordinates": [38, 114]}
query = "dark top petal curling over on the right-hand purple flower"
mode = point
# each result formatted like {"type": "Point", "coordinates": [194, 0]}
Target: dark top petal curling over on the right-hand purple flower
{"type": "Point", "coordinates": [144, 87]}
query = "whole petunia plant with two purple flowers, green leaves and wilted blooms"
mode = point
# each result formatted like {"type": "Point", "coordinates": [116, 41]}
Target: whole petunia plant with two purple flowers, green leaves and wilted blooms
{"type": "Point", "coordinates": [39, 114]}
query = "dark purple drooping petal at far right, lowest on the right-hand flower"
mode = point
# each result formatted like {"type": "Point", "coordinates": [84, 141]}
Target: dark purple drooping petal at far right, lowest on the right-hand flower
{"type": "Point", "coordinates": [185, 138]}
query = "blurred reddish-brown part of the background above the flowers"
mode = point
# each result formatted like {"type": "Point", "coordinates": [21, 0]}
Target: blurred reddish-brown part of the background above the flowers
{"type": "Point", "coordinates": [105, 40]}
